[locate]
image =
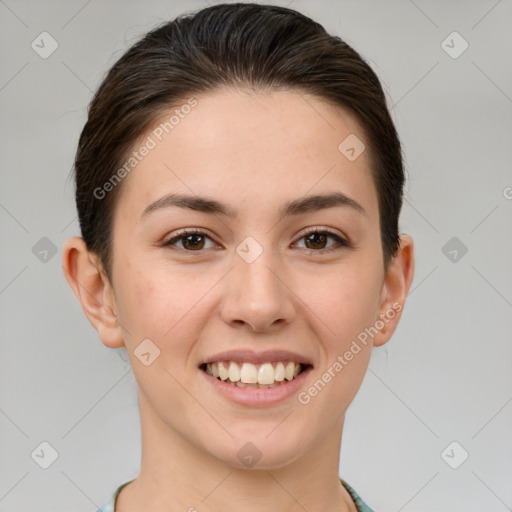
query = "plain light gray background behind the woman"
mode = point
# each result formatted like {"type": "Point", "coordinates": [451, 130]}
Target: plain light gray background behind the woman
{"type": "Point", "coordinates": [446, 374]}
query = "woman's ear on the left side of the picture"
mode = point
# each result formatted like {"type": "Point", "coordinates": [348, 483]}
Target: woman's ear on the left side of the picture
{"type": "Point", "coordinates": [87, 279]}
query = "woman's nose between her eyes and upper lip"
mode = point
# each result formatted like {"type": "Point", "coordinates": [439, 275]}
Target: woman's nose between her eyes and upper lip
{"type": "Point", "coordinates": [257, 295]}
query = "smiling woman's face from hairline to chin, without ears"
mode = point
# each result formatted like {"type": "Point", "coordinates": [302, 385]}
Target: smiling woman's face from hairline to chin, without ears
{"type": "Point", "coordinates": [250, 279]}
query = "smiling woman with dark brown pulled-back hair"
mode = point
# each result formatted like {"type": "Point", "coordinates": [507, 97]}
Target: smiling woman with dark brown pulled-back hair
{"type": "Point", "coordinates": [239, 184]}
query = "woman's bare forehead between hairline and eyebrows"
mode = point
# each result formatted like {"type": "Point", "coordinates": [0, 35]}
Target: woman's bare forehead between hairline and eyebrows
{"type": "Point", "coordinates": [244, 144]}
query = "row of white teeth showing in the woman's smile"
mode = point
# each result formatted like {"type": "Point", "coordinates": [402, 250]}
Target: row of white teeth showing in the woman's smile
{"type": "Point", "coordinates": [252, 376]}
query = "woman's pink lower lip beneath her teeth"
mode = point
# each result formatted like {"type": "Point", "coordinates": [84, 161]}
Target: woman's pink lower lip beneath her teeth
{"type": "Point", "coordinates": [253, 397]}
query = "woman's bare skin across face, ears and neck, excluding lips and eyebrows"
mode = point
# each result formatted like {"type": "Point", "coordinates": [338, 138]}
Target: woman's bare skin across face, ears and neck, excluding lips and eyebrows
{"type": "Point", "coordinates": [254, 151]}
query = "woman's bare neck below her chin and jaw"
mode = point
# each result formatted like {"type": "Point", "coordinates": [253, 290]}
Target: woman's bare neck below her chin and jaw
{"type": "Point", "coordinates": [178, 476]}
